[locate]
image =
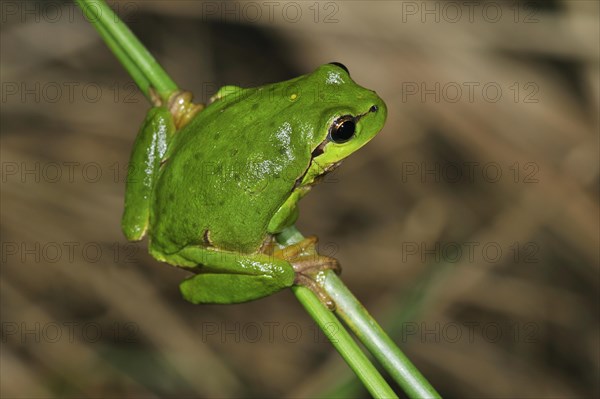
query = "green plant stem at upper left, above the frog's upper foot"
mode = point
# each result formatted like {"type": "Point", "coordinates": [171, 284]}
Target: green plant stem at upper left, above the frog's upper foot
{"type": "Point", "coordinates": [132, 54]}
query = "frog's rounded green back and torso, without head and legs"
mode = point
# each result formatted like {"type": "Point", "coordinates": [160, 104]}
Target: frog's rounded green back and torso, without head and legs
{"type": "Point", "coordinates": [226, 175]}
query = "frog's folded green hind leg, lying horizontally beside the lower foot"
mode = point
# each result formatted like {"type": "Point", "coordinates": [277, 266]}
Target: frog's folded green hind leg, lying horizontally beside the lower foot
{"type": "Point", "coordinates": [229, 277]}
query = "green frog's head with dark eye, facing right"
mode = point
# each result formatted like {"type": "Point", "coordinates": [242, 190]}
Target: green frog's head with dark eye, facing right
{"type": "Point", "coordinates": [350, 116]}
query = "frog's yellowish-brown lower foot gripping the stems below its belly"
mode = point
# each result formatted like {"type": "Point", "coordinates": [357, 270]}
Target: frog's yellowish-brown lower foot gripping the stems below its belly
{"type": "Point", "coordinates": [309, 266]}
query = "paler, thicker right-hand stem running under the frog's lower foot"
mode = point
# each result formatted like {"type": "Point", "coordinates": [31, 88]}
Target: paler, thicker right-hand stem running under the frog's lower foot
{"type": "Point", "coordinates": [368, 331]}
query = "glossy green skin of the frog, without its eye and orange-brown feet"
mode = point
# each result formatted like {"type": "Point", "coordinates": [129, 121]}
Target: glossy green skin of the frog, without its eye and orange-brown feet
{"type": "Point", "coordinates": [210, 195]}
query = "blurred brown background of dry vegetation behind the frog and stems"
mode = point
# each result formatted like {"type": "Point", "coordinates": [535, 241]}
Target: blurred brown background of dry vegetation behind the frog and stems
{"type": "Point", "coordinates": [468, 227]}
